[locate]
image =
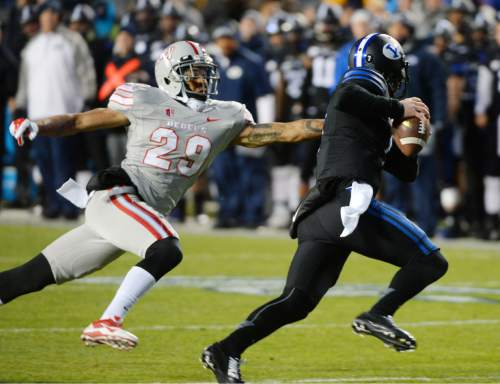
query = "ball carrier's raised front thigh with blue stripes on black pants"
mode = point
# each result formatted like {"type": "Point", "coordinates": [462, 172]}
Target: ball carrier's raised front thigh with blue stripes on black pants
{"type": "Point", "coordinates": [386, 234]}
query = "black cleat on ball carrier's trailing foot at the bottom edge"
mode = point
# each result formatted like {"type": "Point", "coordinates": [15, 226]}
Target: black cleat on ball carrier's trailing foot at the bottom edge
{"type": "Point", "coordinates": [225, 368]}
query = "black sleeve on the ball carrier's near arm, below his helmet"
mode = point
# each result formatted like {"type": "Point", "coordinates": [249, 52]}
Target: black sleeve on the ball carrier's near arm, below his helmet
{"type": "Point", "coordinates": [354, 99]}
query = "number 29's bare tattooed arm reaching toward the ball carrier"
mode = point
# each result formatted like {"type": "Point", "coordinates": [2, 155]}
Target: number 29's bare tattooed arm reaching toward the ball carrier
{"type": "Point", "coordinates": [257, 135]}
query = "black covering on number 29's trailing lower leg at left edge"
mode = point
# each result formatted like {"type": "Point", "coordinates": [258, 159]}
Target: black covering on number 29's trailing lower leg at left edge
{"type": "Point", "coordinates": [29, 277]}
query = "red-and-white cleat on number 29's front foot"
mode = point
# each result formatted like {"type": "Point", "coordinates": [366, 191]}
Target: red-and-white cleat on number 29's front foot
{"type": "Point", "coordinates": [109, 332]}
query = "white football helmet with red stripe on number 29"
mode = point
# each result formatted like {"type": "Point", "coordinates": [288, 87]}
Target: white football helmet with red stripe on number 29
{"type": "Point", "coordinates": [180, 64]}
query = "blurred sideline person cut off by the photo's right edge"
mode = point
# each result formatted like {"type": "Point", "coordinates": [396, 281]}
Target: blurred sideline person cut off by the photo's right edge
{"type": "Point", "coordinates": [487, 118]}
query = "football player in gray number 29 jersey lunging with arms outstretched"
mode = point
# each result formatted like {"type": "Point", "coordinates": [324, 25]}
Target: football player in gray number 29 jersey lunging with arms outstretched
{"type": "Point", "coordinates": [173, 134]}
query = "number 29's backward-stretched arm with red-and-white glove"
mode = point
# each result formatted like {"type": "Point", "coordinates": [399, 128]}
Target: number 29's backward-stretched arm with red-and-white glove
{"type": "Point", "coordinates": [63, 125]}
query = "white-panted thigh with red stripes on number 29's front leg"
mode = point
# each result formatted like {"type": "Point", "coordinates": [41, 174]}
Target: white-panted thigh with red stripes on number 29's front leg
{"type": "Point", "coordinates": [127, 222]}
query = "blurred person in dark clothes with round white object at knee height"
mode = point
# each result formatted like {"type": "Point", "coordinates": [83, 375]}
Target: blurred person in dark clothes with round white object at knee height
{"type": "Point", "coordinates": [460, 142]}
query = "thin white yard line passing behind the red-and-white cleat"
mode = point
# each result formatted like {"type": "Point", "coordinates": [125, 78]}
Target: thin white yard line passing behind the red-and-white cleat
{"type": "Point", "coordinates": [198, 327]}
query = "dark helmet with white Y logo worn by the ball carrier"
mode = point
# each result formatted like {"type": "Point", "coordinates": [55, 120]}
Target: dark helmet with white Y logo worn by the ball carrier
{"type": "Point", "coordinates": [383, 54]}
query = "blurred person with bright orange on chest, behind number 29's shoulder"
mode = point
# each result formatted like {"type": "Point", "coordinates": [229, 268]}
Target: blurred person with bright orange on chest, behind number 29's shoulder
{"type": "Point", "coordinates": [124, 66]}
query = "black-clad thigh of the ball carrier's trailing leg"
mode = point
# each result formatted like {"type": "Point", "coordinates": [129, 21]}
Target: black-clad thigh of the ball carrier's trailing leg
{"type": "Point", "coordinates": [316, 267]}
